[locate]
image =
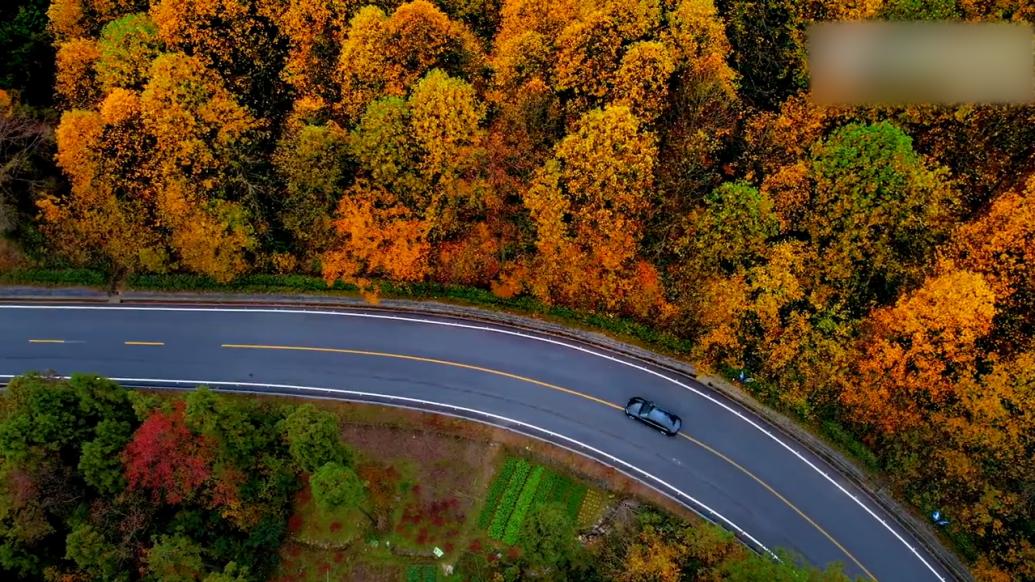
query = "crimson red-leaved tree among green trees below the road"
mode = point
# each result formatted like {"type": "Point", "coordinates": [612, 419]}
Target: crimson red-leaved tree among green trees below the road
{"type": "Point", "coordinates": [166, 458]}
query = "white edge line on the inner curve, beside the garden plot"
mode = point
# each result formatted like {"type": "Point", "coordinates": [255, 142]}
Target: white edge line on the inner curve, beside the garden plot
{"type": "Point", "coordinates": [195, 384]}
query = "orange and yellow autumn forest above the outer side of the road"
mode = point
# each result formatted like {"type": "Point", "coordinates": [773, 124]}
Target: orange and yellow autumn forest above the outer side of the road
{"type": "Point", "coordinates": [873, 269]}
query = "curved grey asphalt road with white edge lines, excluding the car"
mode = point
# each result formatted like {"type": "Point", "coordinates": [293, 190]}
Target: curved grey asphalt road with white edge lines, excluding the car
{"type": "Point", "coordinates": [724, 465]}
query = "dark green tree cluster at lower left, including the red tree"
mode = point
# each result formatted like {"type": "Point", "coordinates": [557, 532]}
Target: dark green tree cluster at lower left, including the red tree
{"type": "Point", "coordinates": [98, 483]}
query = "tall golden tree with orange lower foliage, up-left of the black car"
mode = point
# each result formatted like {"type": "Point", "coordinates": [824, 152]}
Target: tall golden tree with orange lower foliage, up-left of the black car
{"type": "Point", "coordinates": [588, 206]}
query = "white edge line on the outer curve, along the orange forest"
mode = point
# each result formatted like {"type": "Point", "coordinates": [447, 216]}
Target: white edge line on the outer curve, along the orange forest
{"type": "Point", "coordinates": [538, 339]}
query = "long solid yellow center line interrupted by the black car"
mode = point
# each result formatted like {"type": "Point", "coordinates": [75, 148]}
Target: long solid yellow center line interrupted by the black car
{"type": "Point", "coordinates": [707, 448]}
